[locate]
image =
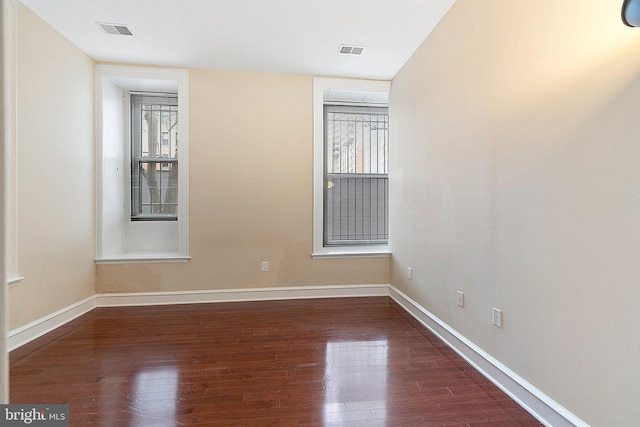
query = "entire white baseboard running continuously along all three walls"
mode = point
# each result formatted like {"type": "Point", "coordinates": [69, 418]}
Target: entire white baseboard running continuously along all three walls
{"type": "Point", "coordinates": [541, 406]}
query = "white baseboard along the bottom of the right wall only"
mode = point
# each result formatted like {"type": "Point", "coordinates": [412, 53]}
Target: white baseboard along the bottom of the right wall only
{"type": "Point", "coordinates": [546, 410]}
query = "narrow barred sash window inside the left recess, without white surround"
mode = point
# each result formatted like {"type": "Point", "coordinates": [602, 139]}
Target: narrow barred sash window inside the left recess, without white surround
{"type": "Point", "coordinates": [154, 156]}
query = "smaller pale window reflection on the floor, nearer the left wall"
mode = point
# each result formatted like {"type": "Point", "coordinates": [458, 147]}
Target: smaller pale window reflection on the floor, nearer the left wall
{"type": "Point", "coordinates": [154, 395]}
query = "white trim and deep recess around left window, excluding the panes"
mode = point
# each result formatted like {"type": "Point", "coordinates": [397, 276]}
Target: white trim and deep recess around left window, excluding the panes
{"type": "Point", "coordinates": [120, 239]}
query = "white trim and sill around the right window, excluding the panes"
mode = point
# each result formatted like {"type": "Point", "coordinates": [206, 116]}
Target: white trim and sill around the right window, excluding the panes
{"type": "Point", "coordinates": [321, 89]}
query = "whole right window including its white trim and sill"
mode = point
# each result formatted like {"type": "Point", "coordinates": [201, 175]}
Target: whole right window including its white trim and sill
{"type": "Point", "coordinates": [351, 146]}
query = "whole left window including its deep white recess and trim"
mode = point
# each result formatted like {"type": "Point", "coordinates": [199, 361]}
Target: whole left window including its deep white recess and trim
{"type": "Point", "coordinates": [142, 164]}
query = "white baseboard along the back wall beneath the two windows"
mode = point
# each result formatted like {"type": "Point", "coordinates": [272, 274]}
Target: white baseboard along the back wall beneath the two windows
{"type": "Point", "coordinates": [236, 295]}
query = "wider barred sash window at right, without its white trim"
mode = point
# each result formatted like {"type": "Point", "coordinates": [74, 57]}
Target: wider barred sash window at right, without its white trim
{"type": "Point", "coordinates": [356, 188]}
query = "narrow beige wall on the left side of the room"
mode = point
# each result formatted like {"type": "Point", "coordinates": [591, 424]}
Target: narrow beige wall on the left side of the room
{"type": "Point", "coordinates": [55, 173]}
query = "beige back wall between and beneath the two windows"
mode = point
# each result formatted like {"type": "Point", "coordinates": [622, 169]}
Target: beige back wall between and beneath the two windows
{"type": "Point", "coordinates": [250, 193]}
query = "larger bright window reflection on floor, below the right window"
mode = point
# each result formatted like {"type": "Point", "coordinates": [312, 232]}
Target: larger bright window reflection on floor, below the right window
{"type": "Point", "coordinates": [355, 381]}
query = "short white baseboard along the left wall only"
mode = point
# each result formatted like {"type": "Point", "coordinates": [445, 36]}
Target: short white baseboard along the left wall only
{"type": "Point", "coordinates": [27, 333]}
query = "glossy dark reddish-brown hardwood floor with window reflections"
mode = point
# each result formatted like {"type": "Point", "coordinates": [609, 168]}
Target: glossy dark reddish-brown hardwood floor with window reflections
{"type": "Point", "coordinates": [322, 362]}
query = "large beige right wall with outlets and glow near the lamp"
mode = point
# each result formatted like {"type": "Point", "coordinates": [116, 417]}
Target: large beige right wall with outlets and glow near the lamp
{"type": "Point", "coordinates": [515, 179]}
